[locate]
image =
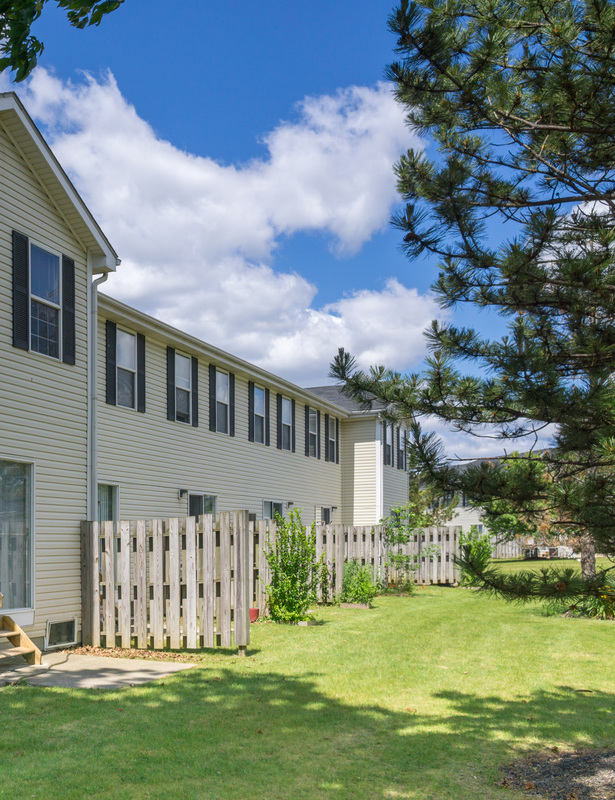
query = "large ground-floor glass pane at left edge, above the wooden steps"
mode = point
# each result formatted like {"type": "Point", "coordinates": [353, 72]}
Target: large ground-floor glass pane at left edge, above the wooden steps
{"type": "Point", "coordinates": [16, 534]}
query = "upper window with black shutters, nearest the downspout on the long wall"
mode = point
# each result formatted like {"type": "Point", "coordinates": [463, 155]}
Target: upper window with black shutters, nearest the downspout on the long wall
{"type": "Point", "coordinates": [125, 363]}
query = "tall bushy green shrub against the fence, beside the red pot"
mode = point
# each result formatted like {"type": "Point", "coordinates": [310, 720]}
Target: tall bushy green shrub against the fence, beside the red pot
{"type": "Point", "coordinates": [294, 569]}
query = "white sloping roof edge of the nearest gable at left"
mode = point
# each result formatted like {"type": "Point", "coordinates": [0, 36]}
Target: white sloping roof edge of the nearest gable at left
{"type": "Point", "coordinates": [105, 257]}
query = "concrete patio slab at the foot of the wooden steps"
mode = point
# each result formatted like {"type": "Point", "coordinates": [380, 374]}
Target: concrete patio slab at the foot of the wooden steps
{"type": "Point", "coordinates": [91, 672]}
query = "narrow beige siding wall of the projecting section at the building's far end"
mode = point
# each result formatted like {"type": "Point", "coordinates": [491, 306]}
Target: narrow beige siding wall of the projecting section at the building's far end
{"type": "Point", "coordinates": [360, 452]}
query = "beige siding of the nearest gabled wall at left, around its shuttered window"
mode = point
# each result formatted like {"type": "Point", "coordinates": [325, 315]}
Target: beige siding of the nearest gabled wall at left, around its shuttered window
{"type": "Point", "coordinates": [44, 402]}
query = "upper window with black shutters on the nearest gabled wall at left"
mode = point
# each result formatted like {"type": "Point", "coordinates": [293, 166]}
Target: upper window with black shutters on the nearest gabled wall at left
{"type": "Point", "coordinates": [43, 300]}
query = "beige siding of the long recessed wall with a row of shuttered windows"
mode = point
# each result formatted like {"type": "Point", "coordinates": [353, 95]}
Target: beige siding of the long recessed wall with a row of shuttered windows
{"type": "Point", "coordinates": [151, 457]}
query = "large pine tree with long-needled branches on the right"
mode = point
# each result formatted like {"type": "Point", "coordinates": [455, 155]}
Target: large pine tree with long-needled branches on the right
{"type": "Point", "coordinates": [514, 198]}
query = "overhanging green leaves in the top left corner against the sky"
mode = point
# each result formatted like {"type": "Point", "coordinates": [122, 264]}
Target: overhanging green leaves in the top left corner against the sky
{"type": "Point", "coordinates": [19, 49]}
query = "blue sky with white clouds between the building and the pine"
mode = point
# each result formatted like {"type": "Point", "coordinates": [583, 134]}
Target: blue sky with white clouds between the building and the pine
{"type": "Point", "coordinates": [240, 159]}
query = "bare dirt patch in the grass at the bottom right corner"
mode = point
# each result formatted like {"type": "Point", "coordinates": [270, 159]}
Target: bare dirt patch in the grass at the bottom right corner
{"type": "Point", "coordinates": [576, 775]}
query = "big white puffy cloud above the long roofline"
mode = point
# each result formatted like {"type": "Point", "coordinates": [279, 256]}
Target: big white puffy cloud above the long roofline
{"type": "Point", "coordinates": [198, 238]}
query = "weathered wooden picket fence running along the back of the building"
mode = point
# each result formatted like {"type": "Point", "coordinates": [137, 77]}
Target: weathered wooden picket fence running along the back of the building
{"type": "Point", "coordinates": [190, 582]}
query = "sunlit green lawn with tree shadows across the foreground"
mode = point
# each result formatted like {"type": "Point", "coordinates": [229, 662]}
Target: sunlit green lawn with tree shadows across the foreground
{"type": "Point", "coordinates": [422, 697]}
